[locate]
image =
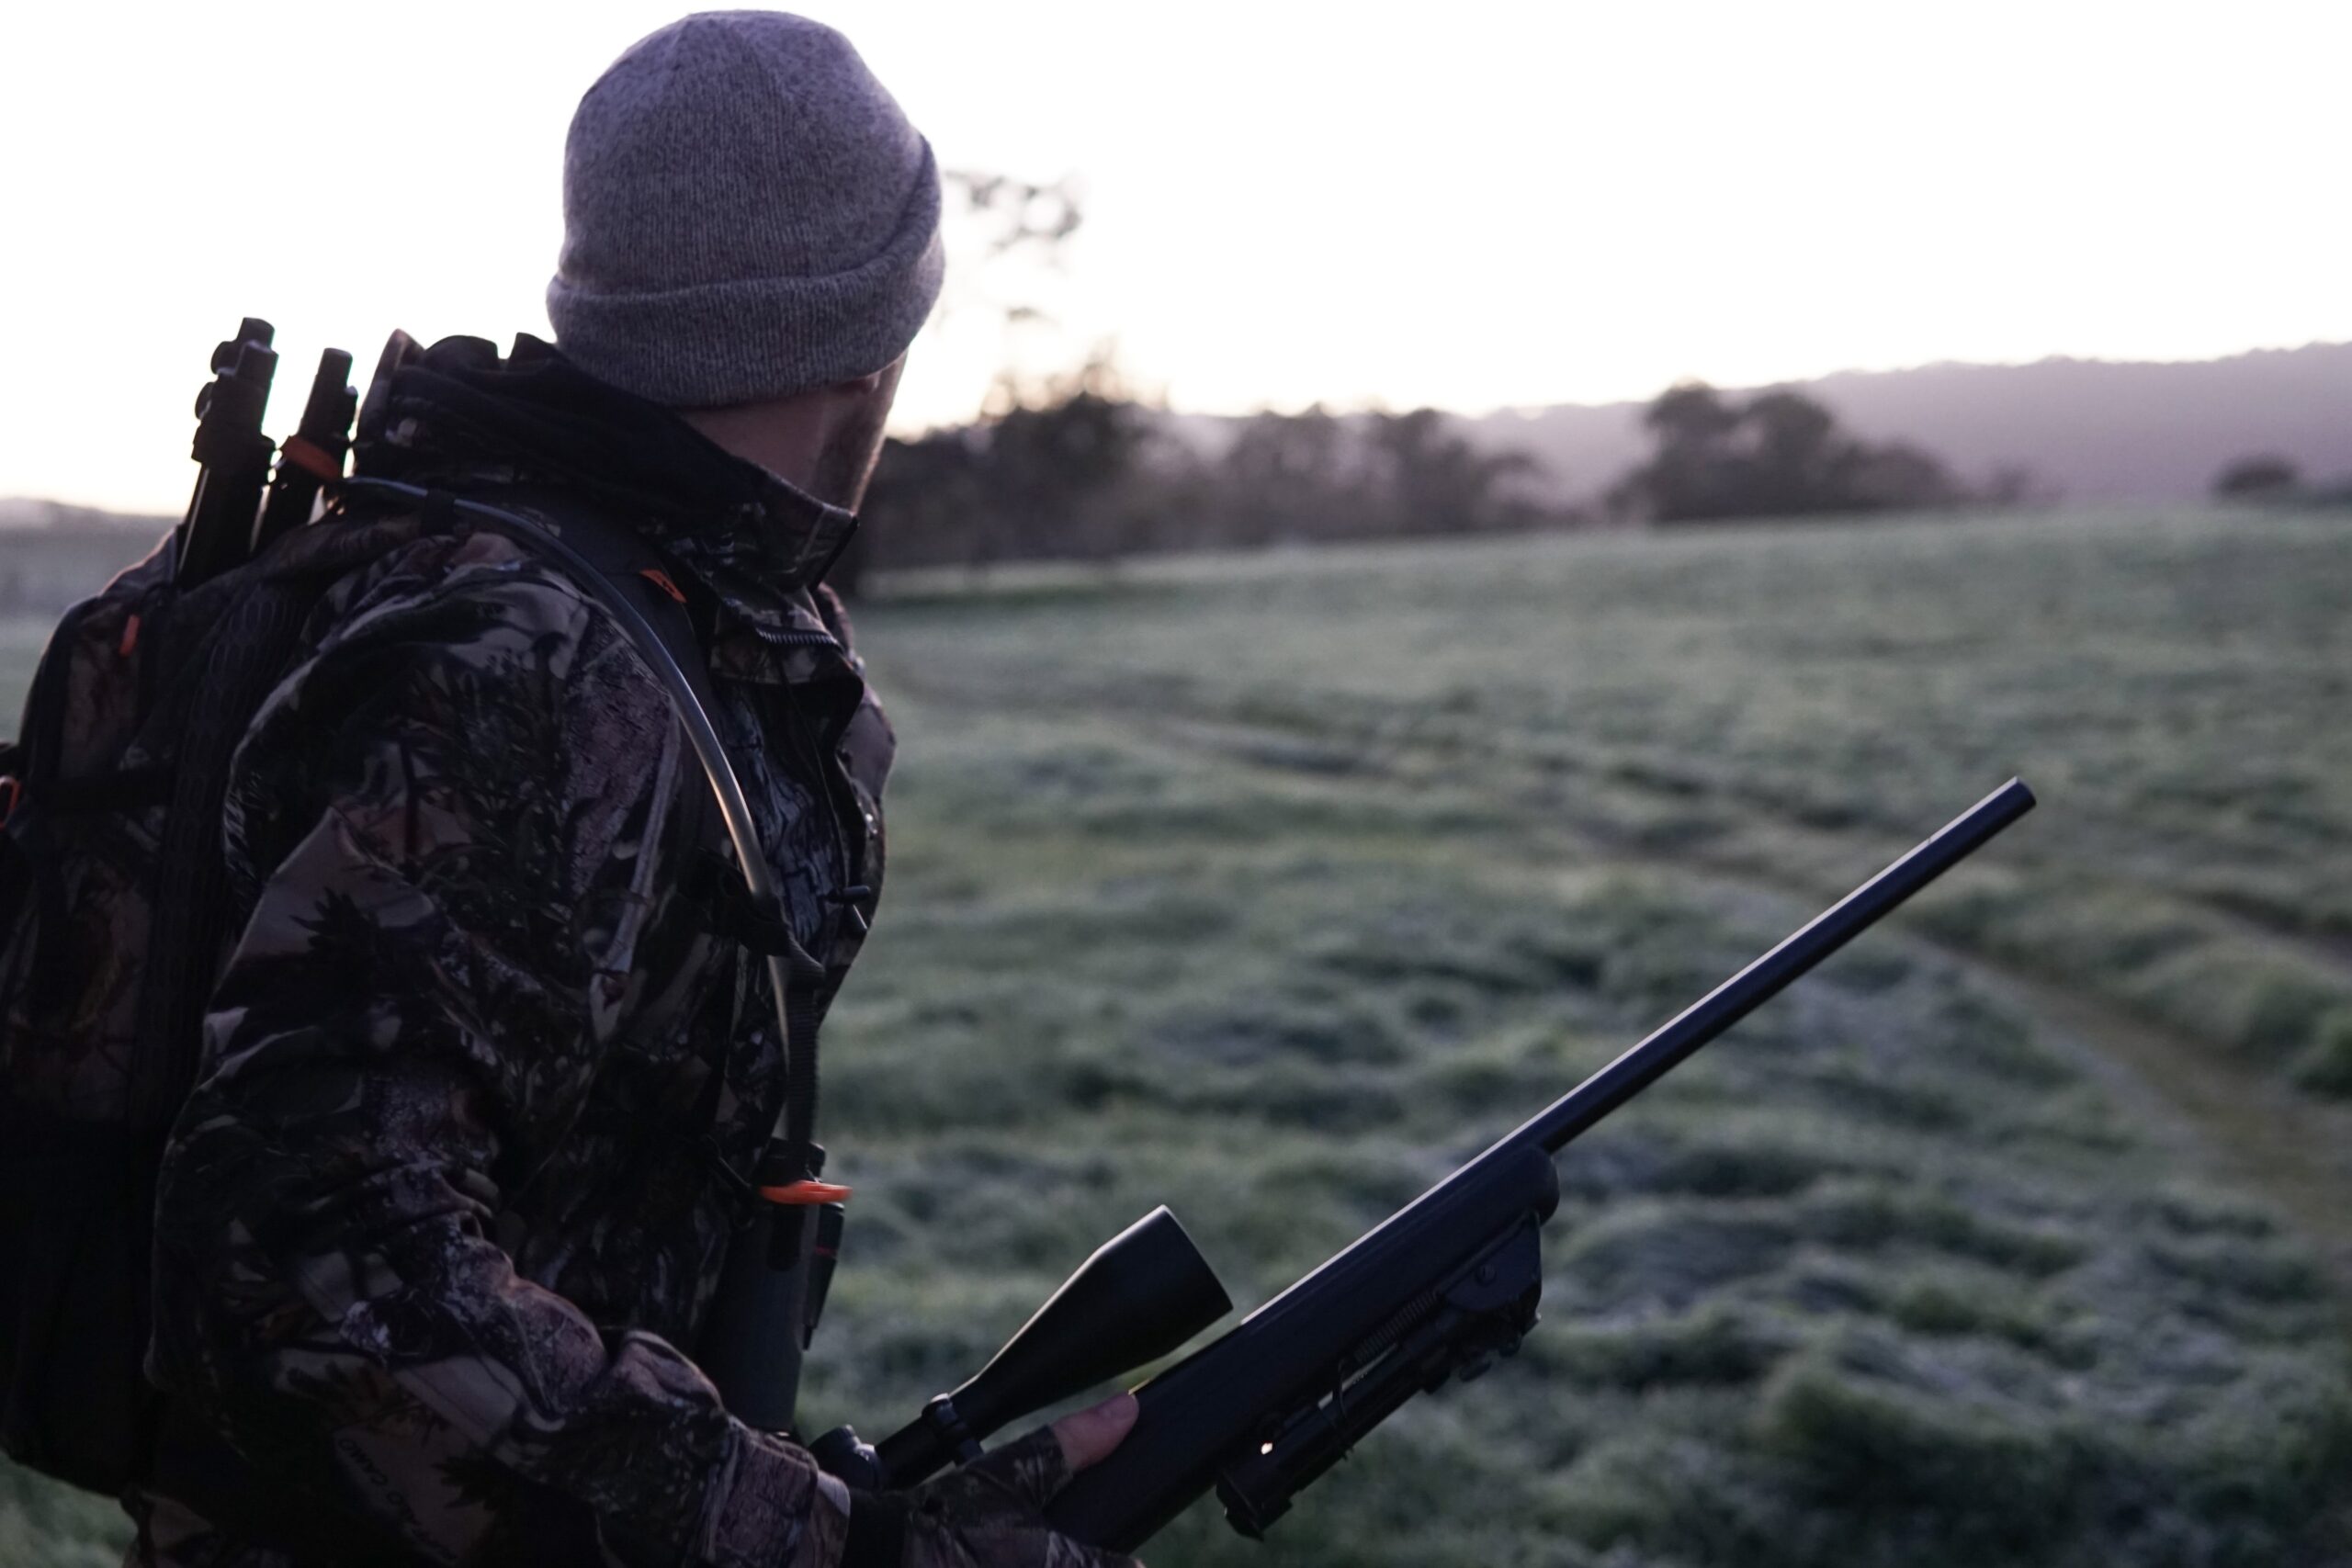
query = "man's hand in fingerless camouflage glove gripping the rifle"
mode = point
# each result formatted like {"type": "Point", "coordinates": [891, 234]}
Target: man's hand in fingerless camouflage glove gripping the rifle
{"type": "Point", "coordinates": [991, 1513]}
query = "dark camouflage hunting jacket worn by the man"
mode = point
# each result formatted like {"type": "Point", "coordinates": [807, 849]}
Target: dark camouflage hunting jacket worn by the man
{"type": "Point", "coordinates": [443, 1214]}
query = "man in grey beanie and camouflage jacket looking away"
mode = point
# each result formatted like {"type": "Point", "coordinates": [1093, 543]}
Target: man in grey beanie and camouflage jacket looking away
{"type": "Point", "coordinates": [483, 1071]}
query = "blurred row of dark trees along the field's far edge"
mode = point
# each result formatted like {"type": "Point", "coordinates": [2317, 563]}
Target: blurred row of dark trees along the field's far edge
{"type": "Point", "coordinates": [1083, 471]}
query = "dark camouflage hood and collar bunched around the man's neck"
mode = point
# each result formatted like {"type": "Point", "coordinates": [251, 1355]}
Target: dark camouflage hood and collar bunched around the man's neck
{"type": "Point", "coordinates": [465, 415]}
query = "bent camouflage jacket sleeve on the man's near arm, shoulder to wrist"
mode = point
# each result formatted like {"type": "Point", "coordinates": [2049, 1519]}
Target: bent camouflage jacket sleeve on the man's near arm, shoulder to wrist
{"type": "Point", "coordinates": [457, 810]}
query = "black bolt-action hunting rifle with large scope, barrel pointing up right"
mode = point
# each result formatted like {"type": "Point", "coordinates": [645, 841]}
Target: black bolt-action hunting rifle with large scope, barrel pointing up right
{"type": "Point", "coordinates": [1436, 1292]}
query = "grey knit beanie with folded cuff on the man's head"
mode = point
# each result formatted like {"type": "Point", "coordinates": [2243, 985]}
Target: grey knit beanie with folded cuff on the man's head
{"type": "Point", "coordinates": [747, 215]}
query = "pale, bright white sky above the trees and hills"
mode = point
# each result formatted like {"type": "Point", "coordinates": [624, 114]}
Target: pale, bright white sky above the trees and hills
{"type": "Point", "coordinates": [1469, 206]}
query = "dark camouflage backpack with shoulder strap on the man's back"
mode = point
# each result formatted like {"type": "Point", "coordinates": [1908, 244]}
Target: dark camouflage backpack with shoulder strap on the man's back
{"type": "Point", "coordinates": [116, 918]}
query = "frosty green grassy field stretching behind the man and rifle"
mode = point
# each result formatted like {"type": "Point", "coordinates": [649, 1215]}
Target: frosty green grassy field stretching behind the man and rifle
{"type": "Point", "coordinates": [1274, 887]}
